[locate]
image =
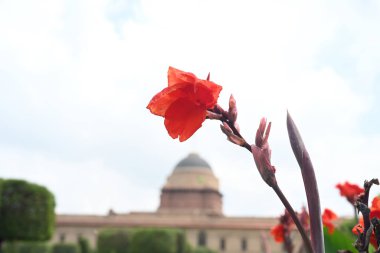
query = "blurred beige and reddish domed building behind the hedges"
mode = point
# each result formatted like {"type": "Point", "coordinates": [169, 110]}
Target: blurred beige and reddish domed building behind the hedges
{"type": "Point", "coordinates": [190, 200]}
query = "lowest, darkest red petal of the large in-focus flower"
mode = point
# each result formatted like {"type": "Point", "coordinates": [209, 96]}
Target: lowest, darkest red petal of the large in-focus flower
{"type": "Point", "coordinates": [183, 118]}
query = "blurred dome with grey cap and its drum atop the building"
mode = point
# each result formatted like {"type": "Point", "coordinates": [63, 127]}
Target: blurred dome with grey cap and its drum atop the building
{"type": "Point", "coordinates": [191, 188]}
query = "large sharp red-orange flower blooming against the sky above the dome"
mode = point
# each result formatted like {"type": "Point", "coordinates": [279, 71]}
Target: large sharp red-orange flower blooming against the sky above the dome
{"type": "Point", "coordinates": [184, 103]}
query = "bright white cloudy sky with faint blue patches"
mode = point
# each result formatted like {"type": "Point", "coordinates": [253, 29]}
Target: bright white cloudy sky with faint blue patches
{"type": "Point", "coordinates": [76, 77]}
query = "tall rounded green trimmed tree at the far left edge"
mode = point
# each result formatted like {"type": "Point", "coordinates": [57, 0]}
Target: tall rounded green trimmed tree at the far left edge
{"type": "Point", "coordinates": [26, 211]}
